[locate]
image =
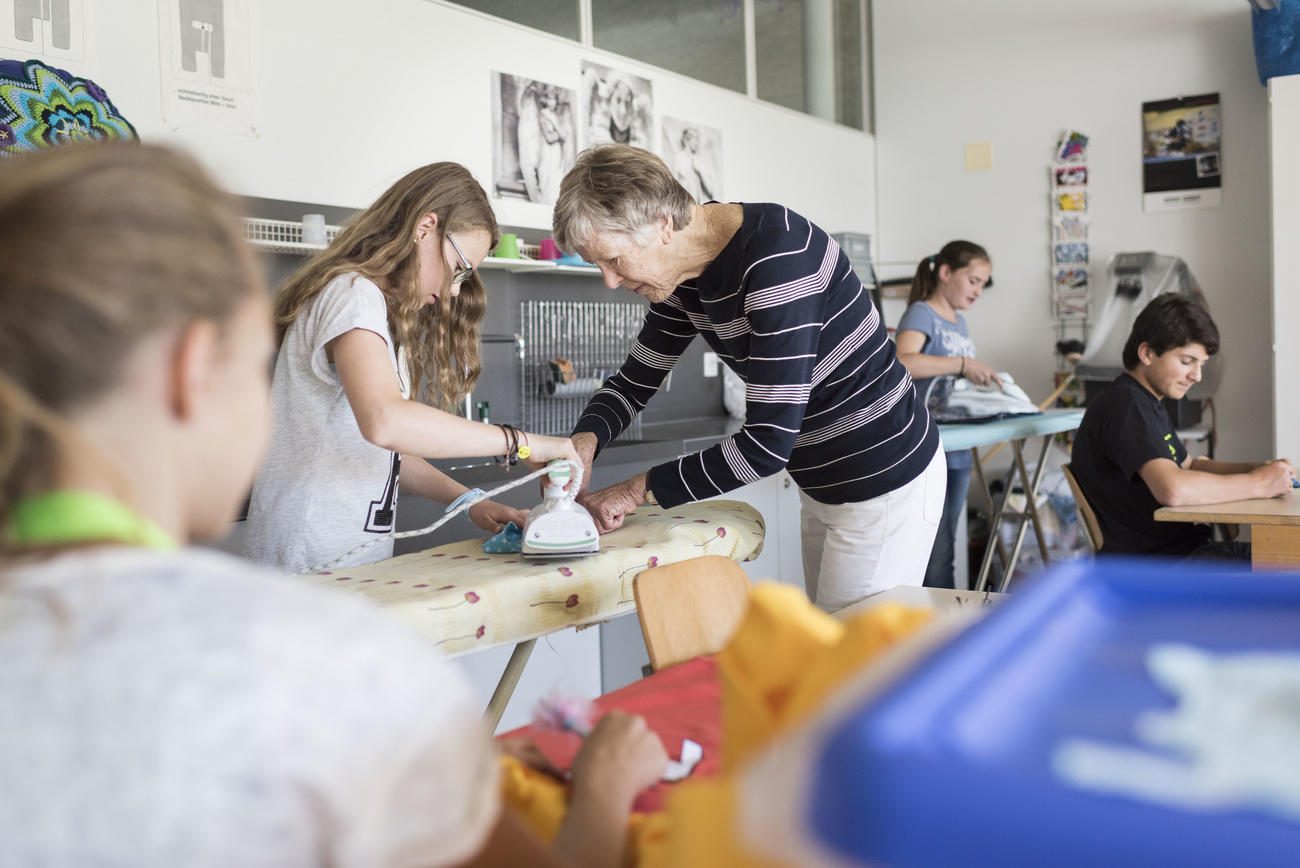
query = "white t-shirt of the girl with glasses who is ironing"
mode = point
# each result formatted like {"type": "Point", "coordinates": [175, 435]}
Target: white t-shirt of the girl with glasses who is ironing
{"type": "Point", "coordinates": [323, 488]}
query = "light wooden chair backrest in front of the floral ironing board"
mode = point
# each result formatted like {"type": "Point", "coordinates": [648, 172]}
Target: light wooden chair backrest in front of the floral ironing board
{"type": "Point", "coordinates": [690, 609]}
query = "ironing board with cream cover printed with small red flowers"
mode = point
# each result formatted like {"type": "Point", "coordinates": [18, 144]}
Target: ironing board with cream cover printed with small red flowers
{"type": "Point", "coordinates": [462, 600]}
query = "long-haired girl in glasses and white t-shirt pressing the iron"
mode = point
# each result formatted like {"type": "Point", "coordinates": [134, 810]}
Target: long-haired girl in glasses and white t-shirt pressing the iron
{"type": "Point", "coordinates": [383, 322]}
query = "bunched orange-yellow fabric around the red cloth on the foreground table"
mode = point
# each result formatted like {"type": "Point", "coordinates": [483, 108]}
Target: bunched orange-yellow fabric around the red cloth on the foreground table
{"type": "Point", "coordinates": [778, 670]}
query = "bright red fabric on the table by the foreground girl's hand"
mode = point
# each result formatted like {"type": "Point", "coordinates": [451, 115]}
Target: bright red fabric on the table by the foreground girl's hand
{"type": "Point", "coordinates": [682, 702]}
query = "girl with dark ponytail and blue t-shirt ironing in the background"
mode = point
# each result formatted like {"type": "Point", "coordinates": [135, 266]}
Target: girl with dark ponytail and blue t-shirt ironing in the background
{"type": "Point", "coordinates": [935, 345]}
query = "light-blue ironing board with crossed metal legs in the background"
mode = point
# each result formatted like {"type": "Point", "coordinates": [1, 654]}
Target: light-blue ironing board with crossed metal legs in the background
{"type": "Point", "coordinates": [1015, 431]}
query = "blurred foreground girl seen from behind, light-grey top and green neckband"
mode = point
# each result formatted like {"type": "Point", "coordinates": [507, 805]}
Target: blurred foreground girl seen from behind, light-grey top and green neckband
{"type": "Point", "coordinates": [175, 706]}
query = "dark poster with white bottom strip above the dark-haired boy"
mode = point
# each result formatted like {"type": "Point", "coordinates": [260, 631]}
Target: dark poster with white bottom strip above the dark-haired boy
{"type": "Point", "coordinates": [1181, 154]}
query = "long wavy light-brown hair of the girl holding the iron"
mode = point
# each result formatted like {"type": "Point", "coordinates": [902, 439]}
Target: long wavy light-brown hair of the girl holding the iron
{"type": "Point", "coordinates": [441, 341]}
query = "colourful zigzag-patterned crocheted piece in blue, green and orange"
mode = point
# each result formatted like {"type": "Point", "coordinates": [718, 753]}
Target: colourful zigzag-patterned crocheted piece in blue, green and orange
{"type": "Point", "coordinates": [42, 107]}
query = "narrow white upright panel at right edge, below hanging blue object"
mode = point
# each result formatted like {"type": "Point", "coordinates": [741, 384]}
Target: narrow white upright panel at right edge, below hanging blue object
{"type": "Point", "coordinates": [1284, 133]}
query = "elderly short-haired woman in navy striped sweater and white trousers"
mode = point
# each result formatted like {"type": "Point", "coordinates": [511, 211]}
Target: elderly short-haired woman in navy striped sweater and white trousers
{"type": "Point", "coordinates": [826, 397]}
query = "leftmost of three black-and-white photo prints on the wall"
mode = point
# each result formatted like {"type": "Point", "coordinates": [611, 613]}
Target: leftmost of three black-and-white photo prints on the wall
{"type": "Point", "coordinates": [535, 137]}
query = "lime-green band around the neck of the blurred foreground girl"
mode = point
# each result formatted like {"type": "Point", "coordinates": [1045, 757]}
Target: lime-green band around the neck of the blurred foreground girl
{"type": "Point", "coordinates": [67, 517]}
